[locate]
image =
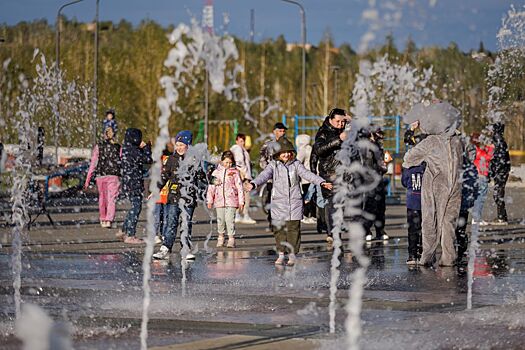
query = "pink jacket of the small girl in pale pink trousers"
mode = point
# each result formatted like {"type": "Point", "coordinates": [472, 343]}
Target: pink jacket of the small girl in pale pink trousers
{"type": "Point", "coordinates": [226, 188]}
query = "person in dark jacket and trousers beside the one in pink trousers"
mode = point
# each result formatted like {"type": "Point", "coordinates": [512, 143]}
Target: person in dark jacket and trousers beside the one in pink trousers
{"type": "Point", "coordinates": [135, 154]}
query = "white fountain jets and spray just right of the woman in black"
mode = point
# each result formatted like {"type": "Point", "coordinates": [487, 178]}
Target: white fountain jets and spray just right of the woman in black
{"type": "Point", "coordinates": [387, 89]}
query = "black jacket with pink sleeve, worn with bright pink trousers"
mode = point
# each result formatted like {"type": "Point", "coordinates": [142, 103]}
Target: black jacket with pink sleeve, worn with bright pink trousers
{"type": "Point", "coordinates": [105, 160]}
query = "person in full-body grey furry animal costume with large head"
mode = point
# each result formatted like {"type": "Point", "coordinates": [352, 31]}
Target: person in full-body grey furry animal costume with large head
{"type": "Point", "coordinates": [442, 151]}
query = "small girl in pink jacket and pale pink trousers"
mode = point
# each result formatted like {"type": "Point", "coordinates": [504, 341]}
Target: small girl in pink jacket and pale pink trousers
{"type": "Point", "coordinates": [226, 194]}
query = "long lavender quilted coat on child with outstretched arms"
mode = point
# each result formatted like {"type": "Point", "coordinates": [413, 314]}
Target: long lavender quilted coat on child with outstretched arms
{"type": "Point", "coordinates": [286, 197]}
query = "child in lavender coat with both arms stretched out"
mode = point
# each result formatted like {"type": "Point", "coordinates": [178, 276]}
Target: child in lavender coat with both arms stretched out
{"type": "Point", "coordinates": [287, 201]}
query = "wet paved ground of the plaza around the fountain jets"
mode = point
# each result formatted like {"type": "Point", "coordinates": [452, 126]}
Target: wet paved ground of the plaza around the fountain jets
{"type": "Point", "coordinates": [237, 298]}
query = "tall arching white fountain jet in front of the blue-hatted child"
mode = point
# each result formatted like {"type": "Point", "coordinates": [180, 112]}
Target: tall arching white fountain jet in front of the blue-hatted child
{"type": "Point", "coordinates": [192, 48]}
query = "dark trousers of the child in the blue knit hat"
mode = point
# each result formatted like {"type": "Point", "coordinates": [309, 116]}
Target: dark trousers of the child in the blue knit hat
{"type": "Point", "coordinates": [173, 219]}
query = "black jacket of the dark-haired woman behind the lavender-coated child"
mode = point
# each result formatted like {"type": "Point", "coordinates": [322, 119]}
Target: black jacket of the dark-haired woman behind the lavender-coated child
{"type": "Point", "coordinates": [327, 145]}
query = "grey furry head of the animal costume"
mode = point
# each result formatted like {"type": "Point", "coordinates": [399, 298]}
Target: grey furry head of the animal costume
{"type": "Point", "coordinates": [437, 118]}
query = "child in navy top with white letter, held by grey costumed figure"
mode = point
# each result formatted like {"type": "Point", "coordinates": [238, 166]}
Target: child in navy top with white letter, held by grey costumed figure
{"type": "Point", "coordinates": [411, 179]}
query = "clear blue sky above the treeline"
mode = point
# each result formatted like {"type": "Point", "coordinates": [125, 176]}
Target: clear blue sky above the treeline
{"type": "Point", "coordinates": [427, 22]}
